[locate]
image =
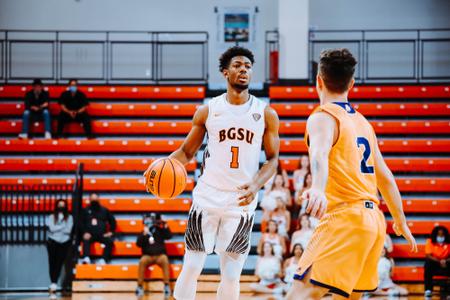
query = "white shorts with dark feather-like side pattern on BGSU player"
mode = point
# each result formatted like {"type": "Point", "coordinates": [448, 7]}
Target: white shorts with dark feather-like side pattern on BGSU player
{"type": "Point", "coordinates": [215, 228]}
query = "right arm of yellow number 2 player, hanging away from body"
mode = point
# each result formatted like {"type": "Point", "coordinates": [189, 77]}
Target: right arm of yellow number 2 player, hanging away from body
{"type": "Point", "coordinates": [389, 190]}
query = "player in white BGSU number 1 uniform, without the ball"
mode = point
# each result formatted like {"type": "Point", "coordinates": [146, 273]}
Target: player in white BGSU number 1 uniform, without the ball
{"type": "Point", "coordinates": [237, 124]}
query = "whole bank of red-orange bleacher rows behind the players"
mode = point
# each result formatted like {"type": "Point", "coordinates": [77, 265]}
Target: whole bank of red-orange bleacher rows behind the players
{"type": "Point", "coordinates": [413, 124]}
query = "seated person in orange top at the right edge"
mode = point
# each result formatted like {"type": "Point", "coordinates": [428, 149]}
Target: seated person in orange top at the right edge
{"type": "Point", "coordinates": [437, 257]}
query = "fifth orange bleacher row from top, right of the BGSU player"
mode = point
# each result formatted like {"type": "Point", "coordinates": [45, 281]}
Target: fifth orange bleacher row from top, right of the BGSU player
{"type": "Point", "coordinates": [395, 164]}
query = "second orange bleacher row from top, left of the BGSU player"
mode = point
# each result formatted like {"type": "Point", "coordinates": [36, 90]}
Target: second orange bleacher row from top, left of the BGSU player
{"type": "Point", "coordinates": [115, 109]}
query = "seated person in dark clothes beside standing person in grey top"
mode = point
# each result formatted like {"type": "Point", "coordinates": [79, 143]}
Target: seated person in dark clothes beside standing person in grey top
{"type": "Point", "coordinates": [97, 225]}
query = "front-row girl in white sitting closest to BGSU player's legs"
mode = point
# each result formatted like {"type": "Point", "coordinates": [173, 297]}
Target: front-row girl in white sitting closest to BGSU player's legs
{"type": "Point", "coordinates": [269, 272]}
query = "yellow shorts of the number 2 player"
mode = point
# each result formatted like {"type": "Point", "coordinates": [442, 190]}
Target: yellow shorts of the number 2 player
{"type": "Point", "coordinates": [345, 248]}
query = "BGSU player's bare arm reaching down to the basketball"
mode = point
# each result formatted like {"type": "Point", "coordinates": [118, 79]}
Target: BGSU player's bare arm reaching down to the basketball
{"type": "Point", "coordinates": [194, 139]}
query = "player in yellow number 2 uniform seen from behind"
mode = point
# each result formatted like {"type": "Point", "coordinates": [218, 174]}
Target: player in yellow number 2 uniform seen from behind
{"type": "Point", "coordinates": [347, 170]}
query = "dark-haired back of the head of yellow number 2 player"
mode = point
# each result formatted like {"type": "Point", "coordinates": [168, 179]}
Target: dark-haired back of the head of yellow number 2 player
{"type": "Point", "coordinates": [336, 67]}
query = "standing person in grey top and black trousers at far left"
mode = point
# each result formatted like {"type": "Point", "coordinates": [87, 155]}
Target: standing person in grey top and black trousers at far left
{"type": "Point", "coordinates": [59, 225]}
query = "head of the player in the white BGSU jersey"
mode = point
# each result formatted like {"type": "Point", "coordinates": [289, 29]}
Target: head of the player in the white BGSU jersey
{"type": "Point", "coordinates": [236, 66]}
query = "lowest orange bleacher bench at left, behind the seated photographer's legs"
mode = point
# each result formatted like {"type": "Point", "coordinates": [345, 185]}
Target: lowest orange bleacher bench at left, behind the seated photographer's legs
{"type": "Point", "coordinates": [122, 272]}
